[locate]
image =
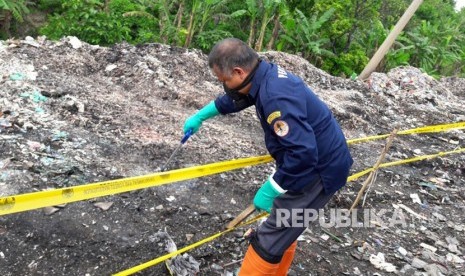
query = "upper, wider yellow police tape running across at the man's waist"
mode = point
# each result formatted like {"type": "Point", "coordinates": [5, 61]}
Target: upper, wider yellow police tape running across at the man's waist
{"type": "Point", "coordinates": [30, 201]}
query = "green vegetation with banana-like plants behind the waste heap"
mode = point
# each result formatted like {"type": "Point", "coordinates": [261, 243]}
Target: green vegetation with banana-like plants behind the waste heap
{"type": "Point", "coordinates": [338, 36]}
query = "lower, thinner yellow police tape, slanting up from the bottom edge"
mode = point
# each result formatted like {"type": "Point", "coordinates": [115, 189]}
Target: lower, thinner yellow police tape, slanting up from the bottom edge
{"type": "Point", "coordinates": [213, 237]}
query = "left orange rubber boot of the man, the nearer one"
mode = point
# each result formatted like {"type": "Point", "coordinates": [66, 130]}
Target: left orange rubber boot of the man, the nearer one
{"type": "Point", "coordinates": [254, 265]}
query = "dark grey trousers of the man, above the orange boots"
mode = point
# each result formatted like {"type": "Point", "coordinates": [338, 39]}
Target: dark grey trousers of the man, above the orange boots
{"type": "Point", "coordinates": [271, 240]}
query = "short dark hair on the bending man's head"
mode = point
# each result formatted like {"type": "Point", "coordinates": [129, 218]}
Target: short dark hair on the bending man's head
{"type": "Point", "coordinates": [230, 53]}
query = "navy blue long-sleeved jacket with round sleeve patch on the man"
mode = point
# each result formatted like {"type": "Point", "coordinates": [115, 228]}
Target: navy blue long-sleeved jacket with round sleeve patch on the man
{"type": "Point", "coordinates": [301, 133]}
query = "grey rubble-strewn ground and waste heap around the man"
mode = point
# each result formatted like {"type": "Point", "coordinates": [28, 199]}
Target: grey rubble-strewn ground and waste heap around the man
{"type": "Point", "coordinates": [73, 113]}
